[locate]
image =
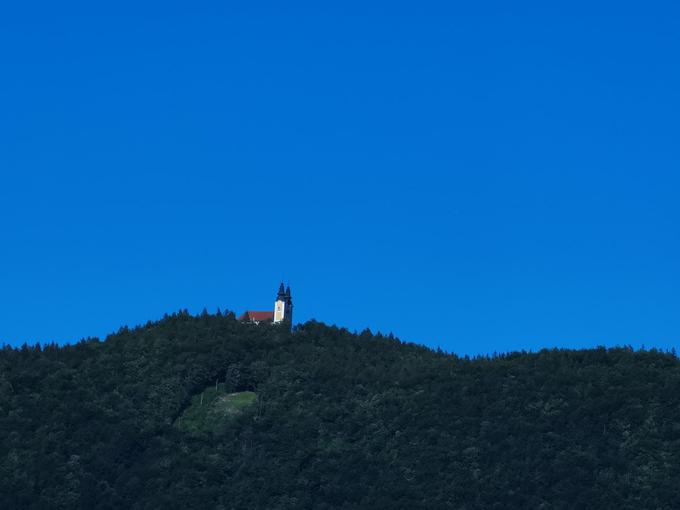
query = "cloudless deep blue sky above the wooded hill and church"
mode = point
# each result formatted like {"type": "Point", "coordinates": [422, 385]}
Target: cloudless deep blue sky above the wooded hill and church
{"type": "Point", "coordinates": [480, 176]}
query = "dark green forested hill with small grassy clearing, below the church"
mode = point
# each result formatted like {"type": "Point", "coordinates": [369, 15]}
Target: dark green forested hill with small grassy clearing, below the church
{"type": "Point", "coordinates": [207, 413]}
